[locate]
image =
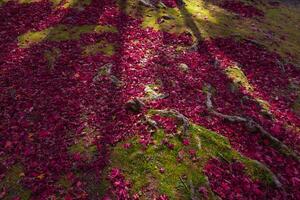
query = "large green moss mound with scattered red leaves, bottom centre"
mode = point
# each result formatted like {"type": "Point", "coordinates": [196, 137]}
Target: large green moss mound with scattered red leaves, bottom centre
{"type": "Point", "coordinates": [177, 170]}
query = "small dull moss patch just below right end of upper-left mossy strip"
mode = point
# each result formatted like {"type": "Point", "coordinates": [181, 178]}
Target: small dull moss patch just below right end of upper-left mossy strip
{"type": "Point", "coordinates": [100, 47]}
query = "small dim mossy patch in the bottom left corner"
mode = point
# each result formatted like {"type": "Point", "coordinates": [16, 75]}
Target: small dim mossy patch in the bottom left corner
{"type": "Point", "coordinates": [12, 183]}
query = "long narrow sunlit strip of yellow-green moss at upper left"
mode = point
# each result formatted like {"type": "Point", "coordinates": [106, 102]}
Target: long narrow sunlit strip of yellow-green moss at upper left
{"type": "Point", "coordinates": [61, 33]}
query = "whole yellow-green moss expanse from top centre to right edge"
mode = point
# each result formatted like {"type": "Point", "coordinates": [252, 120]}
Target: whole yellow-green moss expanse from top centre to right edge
{"type": "Point", "coordinates": [212, 21]}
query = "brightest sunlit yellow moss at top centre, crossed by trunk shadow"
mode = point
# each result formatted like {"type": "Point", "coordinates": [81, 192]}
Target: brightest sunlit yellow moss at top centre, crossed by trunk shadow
{"type": "Point", "coordinates": [173, 19]}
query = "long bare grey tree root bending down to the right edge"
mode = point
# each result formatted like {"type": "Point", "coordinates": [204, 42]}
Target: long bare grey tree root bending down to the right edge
{"type": "Point", "coordinates": [251, 125]}
